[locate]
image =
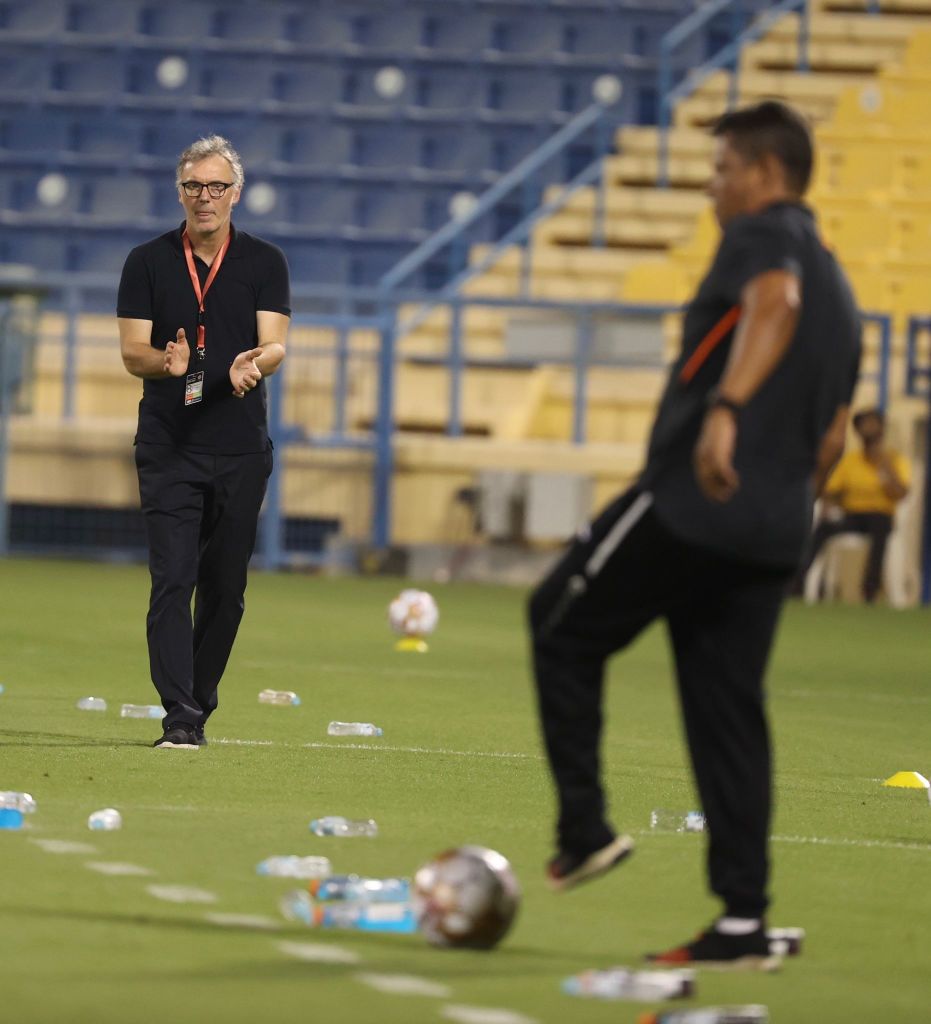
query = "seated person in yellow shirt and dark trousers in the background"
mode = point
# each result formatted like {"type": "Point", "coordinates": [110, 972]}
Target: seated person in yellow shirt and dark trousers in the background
{"type": "Point", "coordinates": [861, 498]}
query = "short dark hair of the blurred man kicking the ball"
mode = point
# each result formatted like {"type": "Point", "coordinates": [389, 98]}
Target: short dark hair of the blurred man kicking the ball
{"type": "Point", "coordinates": [772, 127]}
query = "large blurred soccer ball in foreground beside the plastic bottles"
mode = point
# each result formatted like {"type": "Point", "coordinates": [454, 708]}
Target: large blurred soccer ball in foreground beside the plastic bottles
{"type": "Point", "coordinates": [467, 898]}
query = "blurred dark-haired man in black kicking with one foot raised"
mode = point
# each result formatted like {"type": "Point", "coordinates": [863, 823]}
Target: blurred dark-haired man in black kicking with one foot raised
{"type": "Point", "coordinates": [750, 425]}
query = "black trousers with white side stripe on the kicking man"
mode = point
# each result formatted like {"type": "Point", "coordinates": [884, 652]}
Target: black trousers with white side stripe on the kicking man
{"type": "Point", "coordinates": [723, 618]}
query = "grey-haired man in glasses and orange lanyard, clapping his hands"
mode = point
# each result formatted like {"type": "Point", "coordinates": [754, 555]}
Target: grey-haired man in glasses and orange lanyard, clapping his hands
{"type": "Point", "coordinates": [203, 314]}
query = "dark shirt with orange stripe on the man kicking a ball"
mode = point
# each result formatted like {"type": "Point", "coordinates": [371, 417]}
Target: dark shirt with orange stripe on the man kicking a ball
{"type": "Point", "coordinates": [781, 431]}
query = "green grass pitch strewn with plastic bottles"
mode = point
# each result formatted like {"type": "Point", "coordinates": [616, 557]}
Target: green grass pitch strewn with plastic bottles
{"type": "Point", "coordinates": [459, 762]}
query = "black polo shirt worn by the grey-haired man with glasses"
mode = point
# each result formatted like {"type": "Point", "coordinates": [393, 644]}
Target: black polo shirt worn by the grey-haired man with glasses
{"type": "Point", "coordinates": [156, 286]}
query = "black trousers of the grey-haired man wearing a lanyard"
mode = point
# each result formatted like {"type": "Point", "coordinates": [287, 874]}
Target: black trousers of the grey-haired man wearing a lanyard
{"type": "Point", "coordinates": [201, 514]}
